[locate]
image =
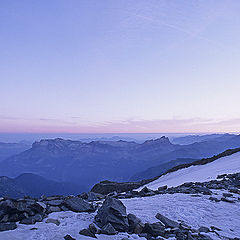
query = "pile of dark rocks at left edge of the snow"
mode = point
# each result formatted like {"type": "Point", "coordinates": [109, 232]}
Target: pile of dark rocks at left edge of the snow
{"type": "Point", "coordinates": [29, 210]}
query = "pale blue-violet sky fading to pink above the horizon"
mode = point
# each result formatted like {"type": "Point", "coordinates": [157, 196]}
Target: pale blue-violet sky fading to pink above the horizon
{"type": "Point", "coordinates": [90, 66]}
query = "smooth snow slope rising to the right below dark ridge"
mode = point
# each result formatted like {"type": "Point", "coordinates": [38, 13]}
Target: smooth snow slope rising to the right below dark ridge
{"type": "Point", "coordinates": [199, 173]}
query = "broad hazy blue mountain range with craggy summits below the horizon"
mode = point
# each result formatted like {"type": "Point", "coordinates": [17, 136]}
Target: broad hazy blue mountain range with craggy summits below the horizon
{"type": "Point", "coordinates": [88, 163]}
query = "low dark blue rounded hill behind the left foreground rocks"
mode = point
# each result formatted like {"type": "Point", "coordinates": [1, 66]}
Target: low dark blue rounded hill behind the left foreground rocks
{"type": "Point", "coordinates": [36, 186]}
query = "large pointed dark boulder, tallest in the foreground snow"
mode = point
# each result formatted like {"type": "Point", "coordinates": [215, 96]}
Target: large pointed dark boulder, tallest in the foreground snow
{"type": "Point", "coordinates": [114, 212]}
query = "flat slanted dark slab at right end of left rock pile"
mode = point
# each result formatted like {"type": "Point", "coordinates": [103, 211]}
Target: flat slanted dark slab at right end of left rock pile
{"type": "Point", "coordinates": [77, 204]}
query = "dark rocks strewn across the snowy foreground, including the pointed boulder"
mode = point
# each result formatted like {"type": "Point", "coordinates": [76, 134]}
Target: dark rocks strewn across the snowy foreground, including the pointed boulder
{"type": "Point", "coordinates": [110, 215]}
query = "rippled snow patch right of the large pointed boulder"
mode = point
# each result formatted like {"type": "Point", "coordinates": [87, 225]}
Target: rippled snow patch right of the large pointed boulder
{"type": "Point", "coordinates": [194, 211]}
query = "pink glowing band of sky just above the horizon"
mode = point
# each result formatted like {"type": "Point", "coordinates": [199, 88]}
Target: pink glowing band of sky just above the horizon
{"type": "Point", "coordinates": [132, 126]}
